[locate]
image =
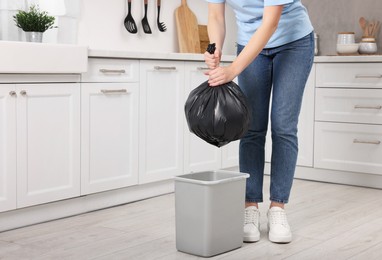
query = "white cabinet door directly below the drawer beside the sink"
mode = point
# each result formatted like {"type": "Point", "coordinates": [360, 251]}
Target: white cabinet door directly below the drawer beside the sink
{"type": "Point", "coordinates": [109, 130]}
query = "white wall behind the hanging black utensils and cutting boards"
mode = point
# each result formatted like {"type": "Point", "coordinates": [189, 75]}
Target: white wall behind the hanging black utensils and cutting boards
{"type": "Point", "coordinates": [101, 25]}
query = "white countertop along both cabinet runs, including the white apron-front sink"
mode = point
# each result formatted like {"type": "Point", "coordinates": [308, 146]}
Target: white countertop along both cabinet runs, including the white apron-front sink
{"type": "Point", "coordinates": [21, 57]}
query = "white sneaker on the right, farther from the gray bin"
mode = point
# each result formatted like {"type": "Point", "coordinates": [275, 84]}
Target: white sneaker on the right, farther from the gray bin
{"type": "Point", "coordinates": [278, 227]}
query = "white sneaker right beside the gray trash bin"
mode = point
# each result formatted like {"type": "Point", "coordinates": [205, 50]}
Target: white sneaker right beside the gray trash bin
{"type": "Point", "coordinates": [251, 224]}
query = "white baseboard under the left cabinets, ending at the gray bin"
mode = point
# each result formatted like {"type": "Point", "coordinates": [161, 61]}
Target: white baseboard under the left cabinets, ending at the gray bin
{"type": "Point", "coordinates": [71, 207]}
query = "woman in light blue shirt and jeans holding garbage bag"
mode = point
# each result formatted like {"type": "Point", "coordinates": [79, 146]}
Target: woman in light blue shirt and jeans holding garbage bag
{"type": "Point", "coordinates": [275, 55]}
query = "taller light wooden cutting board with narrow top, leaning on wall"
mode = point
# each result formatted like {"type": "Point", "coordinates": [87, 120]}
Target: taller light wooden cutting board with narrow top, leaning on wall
{"type": "Point", "coordinates": [187, 29]}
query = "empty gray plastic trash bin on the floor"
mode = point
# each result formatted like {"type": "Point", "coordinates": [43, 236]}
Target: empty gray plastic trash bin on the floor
{"type": "Point", "coordinates": [209, 212]}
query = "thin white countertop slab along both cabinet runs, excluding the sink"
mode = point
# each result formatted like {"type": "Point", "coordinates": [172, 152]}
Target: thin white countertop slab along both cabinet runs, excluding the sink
{"type": "Point", "coordinates": [227, 58]}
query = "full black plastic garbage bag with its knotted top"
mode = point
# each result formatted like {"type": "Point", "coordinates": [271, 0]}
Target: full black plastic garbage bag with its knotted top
{"type": "Point", "coordinates": [218, 114]}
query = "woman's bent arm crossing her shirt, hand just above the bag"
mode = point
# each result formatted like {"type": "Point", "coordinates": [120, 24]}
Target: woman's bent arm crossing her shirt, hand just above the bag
{"type": "Point", "coordinates": [260, 38]}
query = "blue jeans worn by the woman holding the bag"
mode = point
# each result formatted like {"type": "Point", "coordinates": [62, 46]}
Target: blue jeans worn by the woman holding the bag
{"type": "Point", "coordinates": [282, 71]}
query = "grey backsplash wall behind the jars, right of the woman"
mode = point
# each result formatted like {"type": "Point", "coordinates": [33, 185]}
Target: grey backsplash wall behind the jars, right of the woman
{"type": "Point", "coordinates": [330, 17]}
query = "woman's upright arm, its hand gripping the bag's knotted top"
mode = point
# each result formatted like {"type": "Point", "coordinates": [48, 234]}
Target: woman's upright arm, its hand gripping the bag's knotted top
{"type": "Point", "coordinates": [216, 33]}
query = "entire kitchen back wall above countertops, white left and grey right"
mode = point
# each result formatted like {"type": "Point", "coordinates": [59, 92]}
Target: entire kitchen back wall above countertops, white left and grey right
{"type": "Point", "coordinates": [99, 24]}
